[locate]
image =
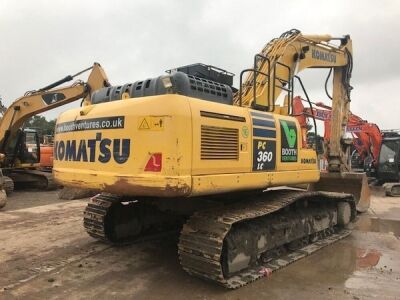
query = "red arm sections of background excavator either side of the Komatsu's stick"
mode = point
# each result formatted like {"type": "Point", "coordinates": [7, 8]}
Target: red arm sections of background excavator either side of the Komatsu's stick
{"type": "Point", "coordinates": [366, 136]}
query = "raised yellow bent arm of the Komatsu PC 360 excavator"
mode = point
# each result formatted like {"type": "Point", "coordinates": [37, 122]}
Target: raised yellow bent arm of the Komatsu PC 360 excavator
{"type": "Point", "coordinates": [275, 70]}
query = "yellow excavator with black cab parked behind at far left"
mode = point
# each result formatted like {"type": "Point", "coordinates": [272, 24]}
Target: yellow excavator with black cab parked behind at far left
{"type": "Point", "coordinates": [20, 147]}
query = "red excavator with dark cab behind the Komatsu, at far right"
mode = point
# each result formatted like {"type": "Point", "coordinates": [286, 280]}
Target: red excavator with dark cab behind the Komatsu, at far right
{"type": "Point", "coordinates": [377, 152]}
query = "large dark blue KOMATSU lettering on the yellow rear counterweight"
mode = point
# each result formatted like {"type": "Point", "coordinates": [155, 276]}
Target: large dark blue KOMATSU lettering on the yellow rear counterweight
{"type": "Point", "coordinates": [91, 150]}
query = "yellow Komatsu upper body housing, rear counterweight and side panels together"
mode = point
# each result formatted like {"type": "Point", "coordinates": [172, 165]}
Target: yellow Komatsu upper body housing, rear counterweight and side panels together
{"type": "Point", "coordinates": [173, 145]}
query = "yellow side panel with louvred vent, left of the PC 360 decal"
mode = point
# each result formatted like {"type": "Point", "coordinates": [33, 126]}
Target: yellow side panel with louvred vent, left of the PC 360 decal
{"type": "Point", "coordinates": [221, 138]}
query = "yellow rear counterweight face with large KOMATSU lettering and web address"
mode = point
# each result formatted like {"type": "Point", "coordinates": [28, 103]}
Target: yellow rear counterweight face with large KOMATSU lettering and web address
{"type": "Point", "coordinates": [109, 139]}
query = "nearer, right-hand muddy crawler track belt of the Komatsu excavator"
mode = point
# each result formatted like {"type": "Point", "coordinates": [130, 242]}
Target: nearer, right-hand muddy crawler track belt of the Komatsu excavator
{"type": "Point", "coordinates": [202, 239]}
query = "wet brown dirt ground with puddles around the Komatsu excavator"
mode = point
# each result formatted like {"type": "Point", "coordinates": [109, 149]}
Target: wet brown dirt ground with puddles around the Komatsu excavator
{"type": "Point", "coordinates": [46, 254]}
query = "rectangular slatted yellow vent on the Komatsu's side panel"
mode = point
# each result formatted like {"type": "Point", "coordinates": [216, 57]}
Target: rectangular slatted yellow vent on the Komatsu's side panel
{"type": "Point", "coordinates": [219, 143]}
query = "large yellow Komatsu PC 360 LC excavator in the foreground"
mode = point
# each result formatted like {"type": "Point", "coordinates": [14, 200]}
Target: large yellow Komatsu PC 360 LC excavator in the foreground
{"type": "Point", "coordinates": [188, 146]}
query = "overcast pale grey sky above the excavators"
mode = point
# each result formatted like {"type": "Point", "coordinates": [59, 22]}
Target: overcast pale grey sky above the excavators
{"type": "Point", "coordinates": [45, 40]}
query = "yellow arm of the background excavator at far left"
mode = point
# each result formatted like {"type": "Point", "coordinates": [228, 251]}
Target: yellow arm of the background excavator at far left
{"type": "Point", "coordinates": [47, 98]}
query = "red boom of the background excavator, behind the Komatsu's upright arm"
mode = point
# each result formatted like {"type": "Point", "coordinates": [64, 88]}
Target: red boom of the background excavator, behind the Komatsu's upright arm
{"type": "Point", "coordinates": [367, 137]}
